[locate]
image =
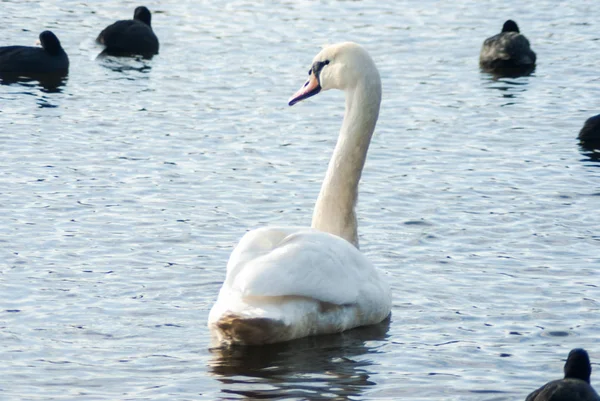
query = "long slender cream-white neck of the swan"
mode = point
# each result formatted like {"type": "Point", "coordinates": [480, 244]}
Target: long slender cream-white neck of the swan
{"type": "Point", "coordinates": [335, 208]}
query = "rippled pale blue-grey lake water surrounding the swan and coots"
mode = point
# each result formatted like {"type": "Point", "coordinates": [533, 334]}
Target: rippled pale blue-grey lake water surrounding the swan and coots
{"type": "Point", "coordinates": [123, 192]}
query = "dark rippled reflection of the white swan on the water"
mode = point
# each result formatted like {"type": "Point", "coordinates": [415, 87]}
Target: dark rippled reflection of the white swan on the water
{"type": "Point", "coordinates": [322, 367]}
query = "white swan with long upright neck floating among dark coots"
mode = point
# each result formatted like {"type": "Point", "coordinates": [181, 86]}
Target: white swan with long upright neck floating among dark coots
{"type": "Point", "coordinates": [287, 283]}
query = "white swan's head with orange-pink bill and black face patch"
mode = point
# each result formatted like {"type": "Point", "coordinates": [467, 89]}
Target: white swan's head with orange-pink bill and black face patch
{"type": "Point", "coordinates": [341, 66]}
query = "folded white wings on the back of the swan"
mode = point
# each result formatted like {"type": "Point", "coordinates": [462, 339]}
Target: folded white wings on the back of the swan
{"type": "Point", "coordinates": [298, 262]}
